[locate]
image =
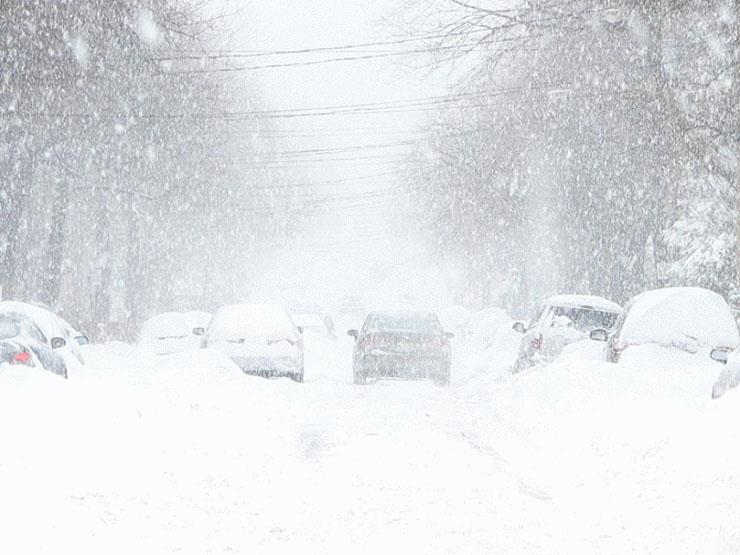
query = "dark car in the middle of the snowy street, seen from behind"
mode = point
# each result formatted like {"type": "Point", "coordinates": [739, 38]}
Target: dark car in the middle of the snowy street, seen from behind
{"type": "Point", "coordinates": [409, 345]}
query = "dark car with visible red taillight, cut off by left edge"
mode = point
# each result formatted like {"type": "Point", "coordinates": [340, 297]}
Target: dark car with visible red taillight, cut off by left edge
{"type": "Point", "coordinates": [23, 343]}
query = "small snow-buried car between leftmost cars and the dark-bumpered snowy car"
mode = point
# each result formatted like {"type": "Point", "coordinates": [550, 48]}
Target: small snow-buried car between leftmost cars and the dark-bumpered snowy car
{"type": "Point", "coordinates": [169, 333]}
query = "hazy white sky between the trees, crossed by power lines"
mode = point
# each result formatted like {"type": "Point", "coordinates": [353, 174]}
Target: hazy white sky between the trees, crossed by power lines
{"type": "Point", "coordinates": [340, 90]}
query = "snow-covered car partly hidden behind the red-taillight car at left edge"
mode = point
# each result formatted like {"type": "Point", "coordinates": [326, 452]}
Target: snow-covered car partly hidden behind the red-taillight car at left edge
{"type": "Point", "coordinates": [52, 326]}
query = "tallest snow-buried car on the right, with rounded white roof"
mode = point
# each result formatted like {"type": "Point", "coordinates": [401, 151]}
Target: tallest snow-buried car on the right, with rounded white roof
{"type": "Point", "coordinates": [685, 318]}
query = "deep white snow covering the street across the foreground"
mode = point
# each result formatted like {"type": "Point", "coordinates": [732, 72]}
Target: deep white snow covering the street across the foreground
{"type": "Point", "coordinates": [184, 453]}
